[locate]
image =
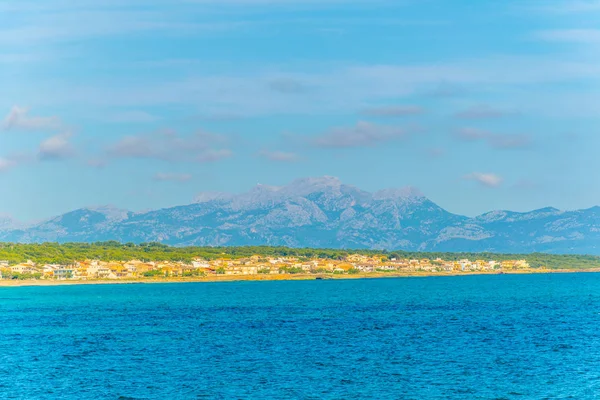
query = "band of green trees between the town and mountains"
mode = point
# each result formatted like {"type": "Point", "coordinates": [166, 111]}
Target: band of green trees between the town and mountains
{"type": "Point", "coordinates": [54, 253]}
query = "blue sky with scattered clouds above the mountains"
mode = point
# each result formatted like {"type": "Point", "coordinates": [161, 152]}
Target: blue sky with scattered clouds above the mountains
{"type": "Point", "coordinates": [144, 104]}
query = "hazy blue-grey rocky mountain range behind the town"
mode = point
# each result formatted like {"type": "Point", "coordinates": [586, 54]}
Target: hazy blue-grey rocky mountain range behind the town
{"type": "Point", "coordinates": [323, 212]}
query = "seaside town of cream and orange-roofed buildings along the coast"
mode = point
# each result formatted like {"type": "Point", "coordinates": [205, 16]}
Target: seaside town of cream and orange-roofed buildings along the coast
{"type": "Point", "coordinates": [354, 264]}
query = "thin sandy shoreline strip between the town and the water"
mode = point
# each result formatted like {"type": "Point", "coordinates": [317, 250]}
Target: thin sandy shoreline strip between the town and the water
{"type": "Point", "coordinates": [276, 277]}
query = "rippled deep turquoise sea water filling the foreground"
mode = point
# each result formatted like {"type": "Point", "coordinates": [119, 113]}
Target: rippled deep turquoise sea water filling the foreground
{"type": "Point", "coordinates": [474, 337]}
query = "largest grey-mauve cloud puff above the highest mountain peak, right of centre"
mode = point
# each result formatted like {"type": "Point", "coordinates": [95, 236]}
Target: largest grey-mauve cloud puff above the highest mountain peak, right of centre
{"type": "Point", "coordinates": [363, 134]}
